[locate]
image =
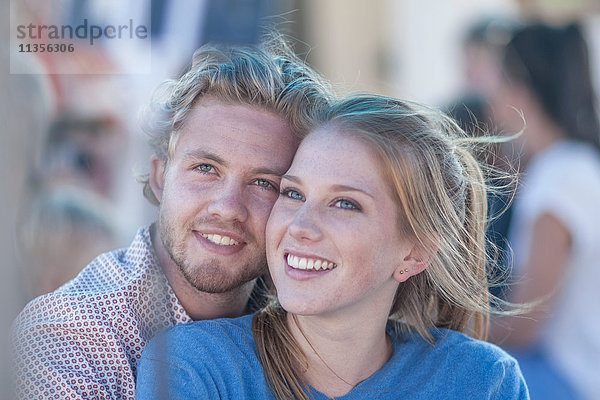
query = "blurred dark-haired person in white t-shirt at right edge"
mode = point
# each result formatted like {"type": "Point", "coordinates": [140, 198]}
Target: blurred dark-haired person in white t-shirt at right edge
{"type": "Point", "coordinates": [555, 229]}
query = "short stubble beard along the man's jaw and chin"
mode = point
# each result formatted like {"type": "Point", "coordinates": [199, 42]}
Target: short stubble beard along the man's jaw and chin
{"type": "Point", "coordinates": [210, 276]}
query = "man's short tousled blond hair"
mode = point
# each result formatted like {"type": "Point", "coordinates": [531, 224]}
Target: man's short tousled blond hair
{"type": "Point", "coordinates": [269, 76]}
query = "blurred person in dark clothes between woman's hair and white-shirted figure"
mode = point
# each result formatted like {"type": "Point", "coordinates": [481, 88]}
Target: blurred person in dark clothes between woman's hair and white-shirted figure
{"type": "Point", "coordinates": [483, 47]}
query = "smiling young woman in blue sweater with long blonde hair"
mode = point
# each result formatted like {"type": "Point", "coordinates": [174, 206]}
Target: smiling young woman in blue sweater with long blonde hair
{"type": "Point", "coordinates": [376, 249]}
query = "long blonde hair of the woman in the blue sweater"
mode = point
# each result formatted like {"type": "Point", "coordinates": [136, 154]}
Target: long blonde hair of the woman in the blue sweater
{"type": "Point", "coordinates": [441, 196]}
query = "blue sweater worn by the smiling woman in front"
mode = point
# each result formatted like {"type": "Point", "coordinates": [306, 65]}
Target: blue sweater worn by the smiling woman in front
{"type": "Point", "coordinates": [217, 360]}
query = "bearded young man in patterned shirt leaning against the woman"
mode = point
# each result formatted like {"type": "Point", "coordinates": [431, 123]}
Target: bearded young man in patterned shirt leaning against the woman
{"type": "Point", "coordinates": [223, 134]}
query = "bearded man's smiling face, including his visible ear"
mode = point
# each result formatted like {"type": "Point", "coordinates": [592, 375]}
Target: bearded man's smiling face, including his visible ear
{"type": "Point", "coordinates": [217, 191]}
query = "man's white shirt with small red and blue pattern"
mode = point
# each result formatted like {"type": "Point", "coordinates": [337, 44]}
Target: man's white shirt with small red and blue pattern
{"type": "Point", "coordinates": [84, 340]}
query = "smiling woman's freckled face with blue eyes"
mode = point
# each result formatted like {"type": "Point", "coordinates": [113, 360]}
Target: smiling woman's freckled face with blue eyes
{"type": "Point", "coordinates": [333, 240]}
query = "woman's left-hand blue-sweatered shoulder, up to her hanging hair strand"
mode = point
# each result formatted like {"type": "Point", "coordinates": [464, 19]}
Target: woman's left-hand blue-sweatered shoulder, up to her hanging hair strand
{"type": "Point", "coordinates": [203, 360]}
